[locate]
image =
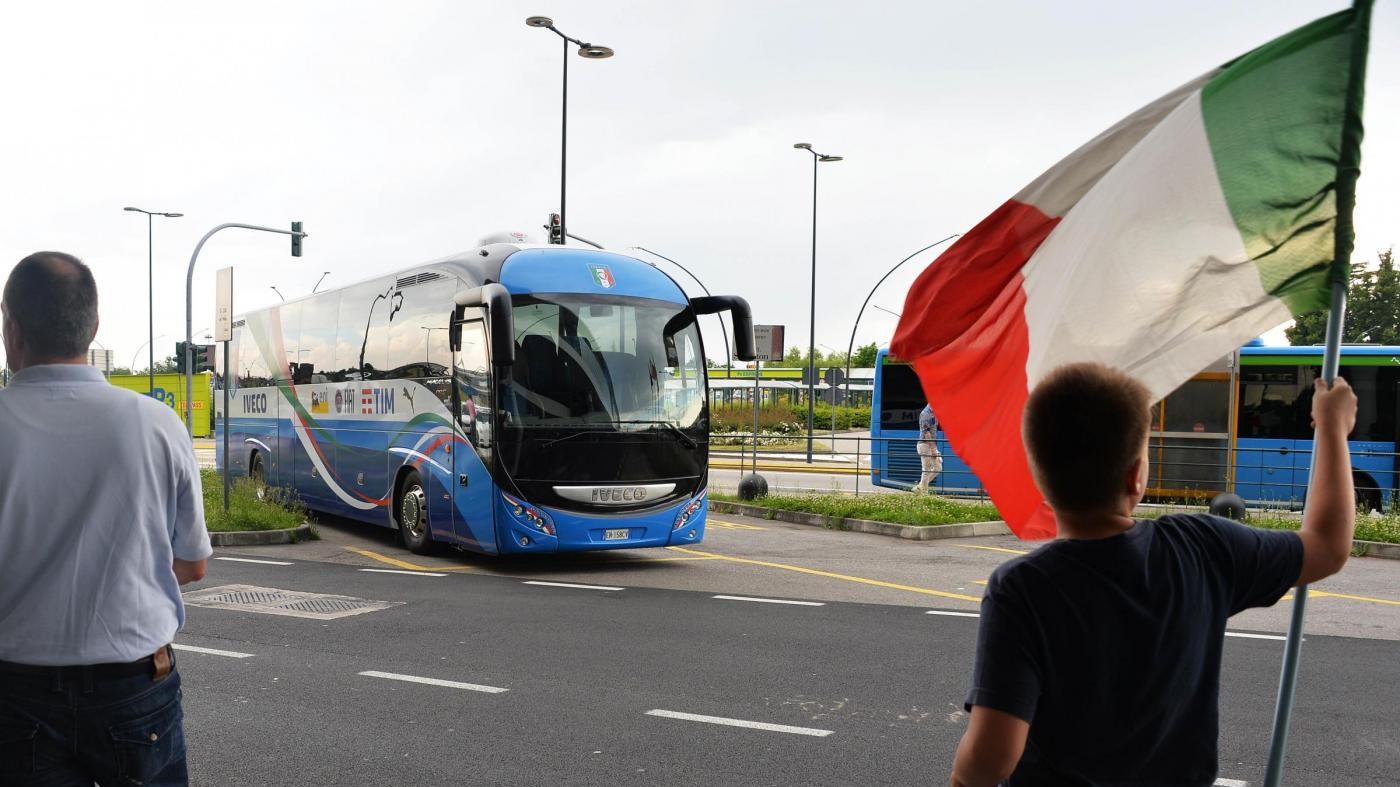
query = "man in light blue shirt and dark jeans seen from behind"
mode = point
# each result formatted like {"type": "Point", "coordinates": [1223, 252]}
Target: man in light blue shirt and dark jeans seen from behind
{"type": "Point", "coordinates": [101, 520]}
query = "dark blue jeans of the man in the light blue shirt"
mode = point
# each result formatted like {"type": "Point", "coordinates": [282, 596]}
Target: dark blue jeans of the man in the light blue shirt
{"type": "Point", "coordinates": [75, 727]}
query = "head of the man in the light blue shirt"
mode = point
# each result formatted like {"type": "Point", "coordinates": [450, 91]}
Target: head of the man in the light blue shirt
{"type": "Point", "coordinates": [52, 296]}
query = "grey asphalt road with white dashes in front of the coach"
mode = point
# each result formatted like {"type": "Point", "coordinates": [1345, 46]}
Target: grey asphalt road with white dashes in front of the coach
{"type": "Point", "coordinates": [604, 687]}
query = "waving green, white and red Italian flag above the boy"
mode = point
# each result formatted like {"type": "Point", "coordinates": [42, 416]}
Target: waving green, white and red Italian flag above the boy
{"type": "Point", "coordinates": [1195, 225]}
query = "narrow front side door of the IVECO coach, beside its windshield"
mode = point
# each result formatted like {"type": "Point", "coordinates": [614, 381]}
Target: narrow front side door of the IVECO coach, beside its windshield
{"type": "Point", "coordinates": [474, 510]}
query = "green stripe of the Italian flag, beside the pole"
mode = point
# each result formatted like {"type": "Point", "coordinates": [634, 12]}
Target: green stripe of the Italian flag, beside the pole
{"type": "Point", "coordinates": [1275, 123]}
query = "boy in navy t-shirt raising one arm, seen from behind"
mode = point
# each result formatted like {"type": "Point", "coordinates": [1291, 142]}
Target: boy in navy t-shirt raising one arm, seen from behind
{"type": "Point", "coordinates": [1100, 655]}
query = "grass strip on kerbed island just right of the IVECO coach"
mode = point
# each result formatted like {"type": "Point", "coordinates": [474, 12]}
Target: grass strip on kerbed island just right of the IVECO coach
{"type": "Point", "coordinates": [899, 509]}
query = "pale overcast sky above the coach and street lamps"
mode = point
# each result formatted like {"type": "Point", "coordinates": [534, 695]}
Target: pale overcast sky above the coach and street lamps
{"type": "Point", "coordinates": [402, 132]}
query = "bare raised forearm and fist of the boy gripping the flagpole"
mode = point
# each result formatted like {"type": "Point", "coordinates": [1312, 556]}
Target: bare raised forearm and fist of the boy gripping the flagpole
{"type": "Point", "coordinates": [1331, 515]}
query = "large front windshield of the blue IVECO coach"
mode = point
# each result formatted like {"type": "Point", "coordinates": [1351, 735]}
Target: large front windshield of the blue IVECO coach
{"type": "Point", "coordinates": [631, 365]}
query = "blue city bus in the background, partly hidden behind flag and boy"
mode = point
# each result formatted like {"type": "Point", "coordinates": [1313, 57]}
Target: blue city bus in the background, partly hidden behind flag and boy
{"type": "Point", "coordinates": [1242, 425]}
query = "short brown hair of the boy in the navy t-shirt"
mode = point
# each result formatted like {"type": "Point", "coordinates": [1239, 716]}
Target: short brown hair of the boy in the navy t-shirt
{"type": "Point", "coordinates": [1084, 426]}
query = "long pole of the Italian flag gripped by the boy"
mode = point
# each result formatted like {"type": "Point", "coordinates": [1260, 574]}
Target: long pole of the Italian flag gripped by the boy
{"type": "Point", "coordinates": [1349, 169]}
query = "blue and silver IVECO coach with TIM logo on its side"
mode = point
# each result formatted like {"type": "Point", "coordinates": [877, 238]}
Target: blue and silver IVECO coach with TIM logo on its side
{"type": "Point", "coordinates": [510, 400]}
